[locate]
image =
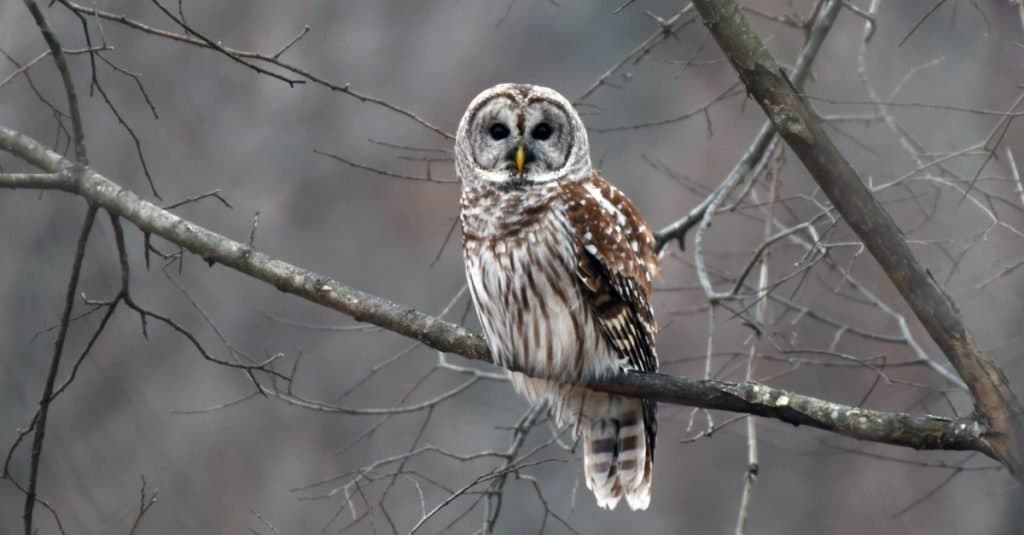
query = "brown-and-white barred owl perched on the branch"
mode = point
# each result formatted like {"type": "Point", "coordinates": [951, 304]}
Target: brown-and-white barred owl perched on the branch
{"type": "Point", "coordinates": [560, 266]}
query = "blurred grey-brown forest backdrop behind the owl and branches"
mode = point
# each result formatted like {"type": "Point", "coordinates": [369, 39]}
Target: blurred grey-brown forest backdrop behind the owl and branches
{"type": "Point", "coordinates": [131, 413]}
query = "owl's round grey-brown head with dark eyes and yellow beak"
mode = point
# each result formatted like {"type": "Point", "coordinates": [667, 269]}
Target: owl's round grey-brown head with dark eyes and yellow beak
{"type": "Point", "coordinates": [521, 136]}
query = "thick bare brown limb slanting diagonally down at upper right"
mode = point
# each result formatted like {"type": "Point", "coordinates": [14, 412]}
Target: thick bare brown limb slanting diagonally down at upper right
{"type": "Point", "coordinates": [803, 131]}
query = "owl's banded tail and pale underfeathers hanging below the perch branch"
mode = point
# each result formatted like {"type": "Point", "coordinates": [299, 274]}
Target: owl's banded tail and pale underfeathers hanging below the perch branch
{"type": "Point", "coordinates": [618, 436]}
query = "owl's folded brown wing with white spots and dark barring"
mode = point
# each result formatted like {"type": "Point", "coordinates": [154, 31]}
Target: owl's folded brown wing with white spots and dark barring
{"type": "Point", "coordinates": [616, 262]}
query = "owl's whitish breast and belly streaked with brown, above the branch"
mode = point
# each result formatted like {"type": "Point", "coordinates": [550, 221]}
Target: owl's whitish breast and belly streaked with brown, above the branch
{"type": "Point", "coordinates": [521, 266]}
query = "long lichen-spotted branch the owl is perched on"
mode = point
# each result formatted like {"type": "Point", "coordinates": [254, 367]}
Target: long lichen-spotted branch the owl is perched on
{"type": "Point", "coordinates": [889, 428]}
